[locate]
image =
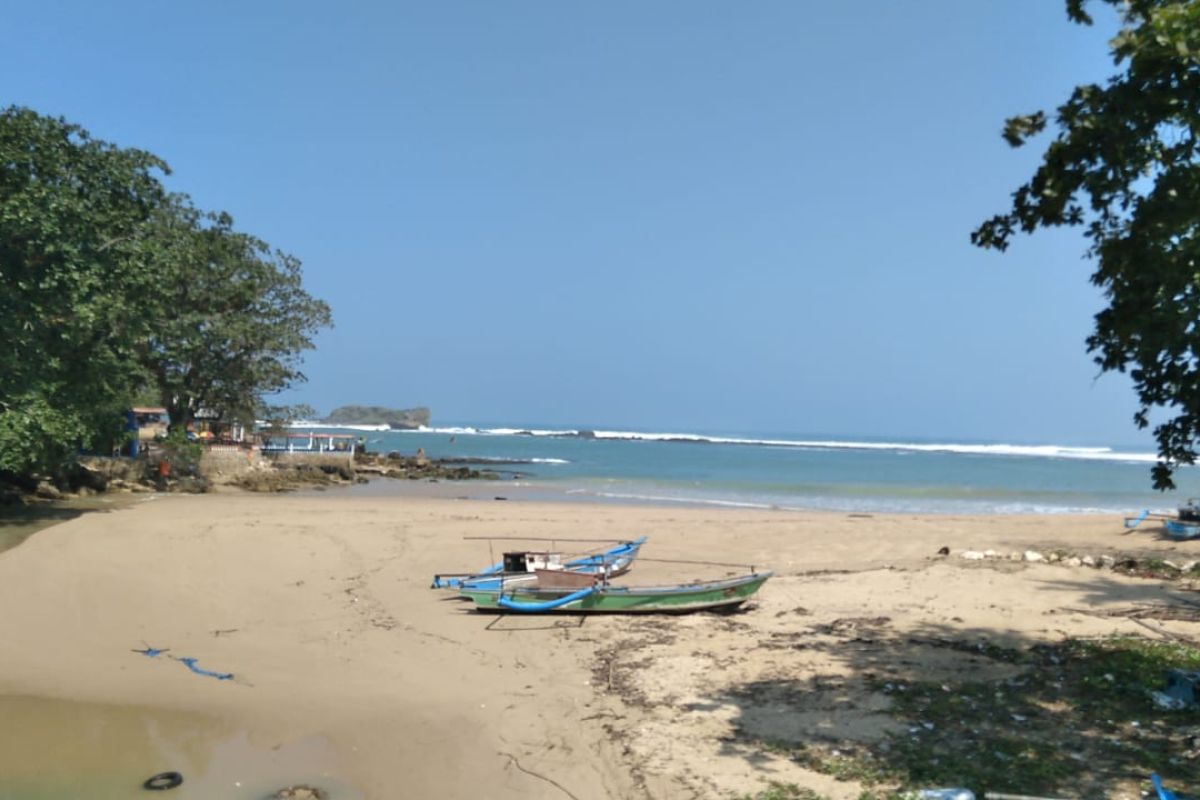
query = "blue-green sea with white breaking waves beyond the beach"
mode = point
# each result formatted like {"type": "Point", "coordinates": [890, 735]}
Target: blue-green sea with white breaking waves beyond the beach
{"type": "Point", "coordinates": [800, 472]}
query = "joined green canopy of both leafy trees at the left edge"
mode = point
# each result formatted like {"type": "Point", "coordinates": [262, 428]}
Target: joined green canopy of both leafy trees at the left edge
{"type": "Point", "coordinates": [111, 286]}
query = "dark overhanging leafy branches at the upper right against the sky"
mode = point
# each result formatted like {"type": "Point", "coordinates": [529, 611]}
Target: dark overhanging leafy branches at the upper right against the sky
{"type": "Point", "coordinates": [1125, 165]}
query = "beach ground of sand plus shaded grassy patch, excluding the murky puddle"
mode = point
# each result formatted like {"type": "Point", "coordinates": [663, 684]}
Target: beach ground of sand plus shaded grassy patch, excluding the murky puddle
{"type": "Point", "coordinates": [1025, 660]}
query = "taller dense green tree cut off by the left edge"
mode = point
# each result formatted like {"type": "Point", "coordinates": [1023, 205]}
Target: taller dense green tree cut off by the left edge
{"type": "Point", "coordinates": [75, 213]}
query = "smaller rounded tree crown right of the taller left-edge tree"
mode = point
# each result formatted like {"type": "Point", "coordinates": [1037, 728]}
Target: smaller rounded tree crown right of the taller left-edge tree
{"type": "Point", "coordinates": [231, 317]}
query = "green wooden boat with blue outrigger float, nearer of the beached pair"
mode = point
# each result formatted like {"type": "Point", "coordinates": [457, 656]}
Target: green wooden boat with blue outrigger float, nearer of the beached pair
{"type": "Point", "coordinates": [601, 598]}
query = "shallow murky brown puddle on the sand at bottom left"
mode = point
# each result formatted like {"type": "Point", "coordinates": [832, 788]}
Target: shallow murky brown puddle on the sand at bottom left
{"type": "Point", "coordinates": [59, 750]}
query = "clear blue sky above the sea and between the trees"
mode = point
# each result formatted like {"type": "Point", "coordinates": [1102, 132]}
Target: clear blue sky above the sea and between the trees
{"type": "Point", "coordinates": [657, 215]}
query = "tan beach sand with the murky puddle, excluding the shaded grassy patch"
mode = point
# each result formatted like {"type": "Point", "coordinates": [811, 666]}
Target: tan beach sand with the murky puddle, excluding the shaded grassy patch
{"type": "Point", "coordinates": [351, 673]}
